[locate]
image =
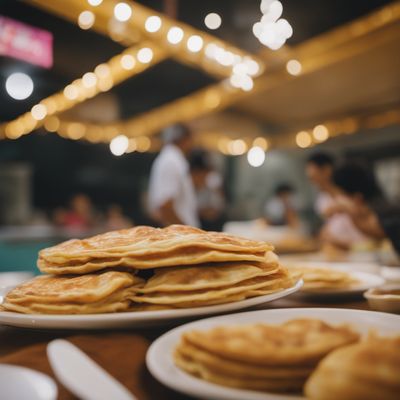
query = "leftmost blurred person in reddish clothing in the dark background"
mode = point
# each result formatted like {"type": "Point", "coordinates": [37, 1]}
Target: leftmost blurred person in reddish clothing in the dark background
{"type": "Point", "coordinates": [79, 215]}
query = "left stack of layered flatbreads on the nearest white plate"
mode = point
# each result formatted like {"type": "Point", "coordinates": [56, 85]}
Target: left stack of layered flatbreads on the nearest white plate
{"type": "Point", "coordinates": [276, 358]}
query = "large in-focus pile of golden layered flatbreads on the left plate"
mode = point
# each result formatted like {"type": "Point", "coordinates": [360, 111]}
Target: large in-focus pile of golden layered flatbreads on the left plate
{"type": "Point", "coordinates": [178, 266]}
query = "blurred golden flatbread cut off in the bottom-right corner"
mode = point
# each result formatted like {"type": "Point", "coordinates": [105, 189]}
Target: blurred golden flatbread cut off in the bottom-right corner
{"type": "Point", "coordinates": [368, 370]}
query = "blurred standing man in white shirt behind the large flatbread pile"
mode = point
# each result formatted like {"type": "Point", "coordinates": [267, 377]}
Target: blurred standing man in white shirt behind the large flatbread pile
{"type": "Point", "coordinates": [171, 196]}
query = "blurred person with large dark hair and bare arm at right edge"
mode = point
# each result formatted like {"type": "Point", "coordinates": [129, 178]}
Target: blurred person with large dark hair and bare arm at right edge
{"type": "Point", "coordinates": [366, 205]}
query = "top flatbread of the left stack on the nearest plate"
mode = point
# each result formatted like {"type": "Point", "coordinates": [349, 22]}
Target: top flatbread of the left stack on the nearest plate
{"type": "Point", "coordinates": [296, 342]}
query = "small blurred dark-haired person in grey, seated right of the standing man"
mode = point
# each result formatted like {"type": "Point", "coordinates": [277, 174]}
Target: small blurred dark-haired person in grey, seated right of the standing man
{"type": "Point", "coordinates": [282, 209]}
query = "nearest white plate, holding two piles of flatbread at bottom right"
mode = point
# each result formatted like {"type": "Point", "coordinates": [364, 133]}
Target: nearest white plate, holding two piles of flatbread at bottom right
{"type": "Point", "coordinates": [160, 362]}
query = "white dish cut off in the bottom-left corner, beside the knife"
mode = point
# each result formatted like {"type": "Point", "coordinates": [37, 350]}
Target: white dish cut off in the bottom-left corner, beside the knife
{"type": "Point", "coordinates": [18, 383]}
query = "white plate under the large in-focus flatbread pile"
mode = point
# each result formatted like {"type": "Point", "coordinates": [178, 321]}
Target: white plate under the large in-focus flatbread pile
{"type": "Point", "coordinates": [133, 319]}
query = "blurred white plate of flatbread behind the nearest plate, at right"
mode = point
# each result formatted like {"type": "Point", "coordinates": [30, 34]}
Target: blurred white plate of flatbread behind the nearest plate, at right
{"type": "Point", "coordinates": [365, 280]}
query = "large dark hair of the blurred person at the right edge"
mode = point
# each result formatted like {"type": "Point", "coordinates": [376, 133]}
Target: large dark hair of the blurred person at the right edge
{"type": "Point", "coordinates": [355, 178]}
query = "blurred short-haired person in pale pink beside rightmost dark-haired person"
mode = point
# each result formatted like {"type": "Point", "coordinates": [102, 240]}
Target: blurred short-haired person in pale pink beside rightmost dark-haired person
{"type": "Point", "coordinates": [338, 229]}
